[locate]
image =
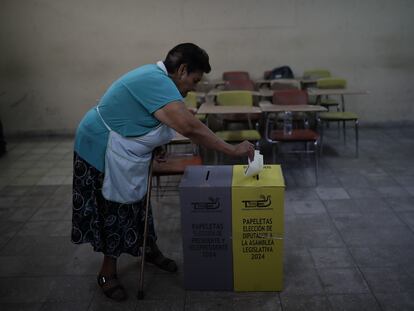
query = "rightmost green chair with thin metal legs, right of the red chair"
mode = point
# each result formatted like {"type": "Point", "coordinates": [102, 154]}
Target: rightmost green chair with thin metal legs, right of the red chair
{"type": "Point", "coordinates": [338, 116]}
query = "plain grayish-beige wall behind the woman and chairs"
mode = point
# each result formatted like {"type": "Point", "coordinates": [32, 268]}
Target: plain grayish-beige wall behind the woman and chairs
{"type": "Point", "coordinates": [57, 57]}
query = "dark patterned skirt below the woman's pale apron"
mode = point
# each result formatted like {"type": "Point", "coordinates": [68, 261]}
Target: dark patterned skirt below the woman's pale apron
{"type": "Point", "coordinates": [111, 228]}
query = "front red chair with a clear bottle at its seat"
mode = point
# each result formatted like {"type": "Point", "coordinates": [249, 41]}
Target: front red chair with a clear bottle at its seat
{"type": "Point", "coordinates": [300, 133]}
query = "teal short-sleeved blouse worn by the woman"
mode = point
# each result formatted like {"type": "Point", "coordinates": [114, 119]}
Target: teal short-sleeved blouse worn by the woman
{"type": "Point", "coordinates": [127, 107]}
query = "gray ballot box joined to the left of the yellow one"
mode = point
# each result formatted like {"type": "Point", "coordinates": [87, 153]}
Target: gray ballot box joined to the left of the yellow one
{"type": "Point", "coordinates": [205, 195]}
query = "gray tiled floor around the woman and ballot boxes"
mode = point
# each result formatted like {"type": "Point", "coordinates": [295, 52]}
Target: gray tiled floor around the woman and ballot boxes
{"type": "Point", "coordinates": [349, 242]}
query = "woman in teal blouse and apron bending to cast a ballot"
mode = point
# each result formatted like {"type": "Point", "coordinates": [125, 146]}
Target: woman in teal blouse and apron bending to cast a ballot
{"type": "Point", "coordinates": [113, 148]}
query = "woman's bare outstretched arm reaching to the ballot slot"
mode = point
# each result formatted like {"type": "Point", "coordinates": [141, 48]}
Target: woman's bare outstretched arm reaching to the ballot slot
{"type": "Point", "coordinates": [177, 116]}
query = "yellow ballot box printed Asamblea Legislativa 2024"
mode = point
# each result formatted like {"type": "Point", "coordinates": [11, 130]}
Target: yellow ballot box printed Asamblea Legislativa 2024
{"type": "Point", "coordinates": [257, 229]}
